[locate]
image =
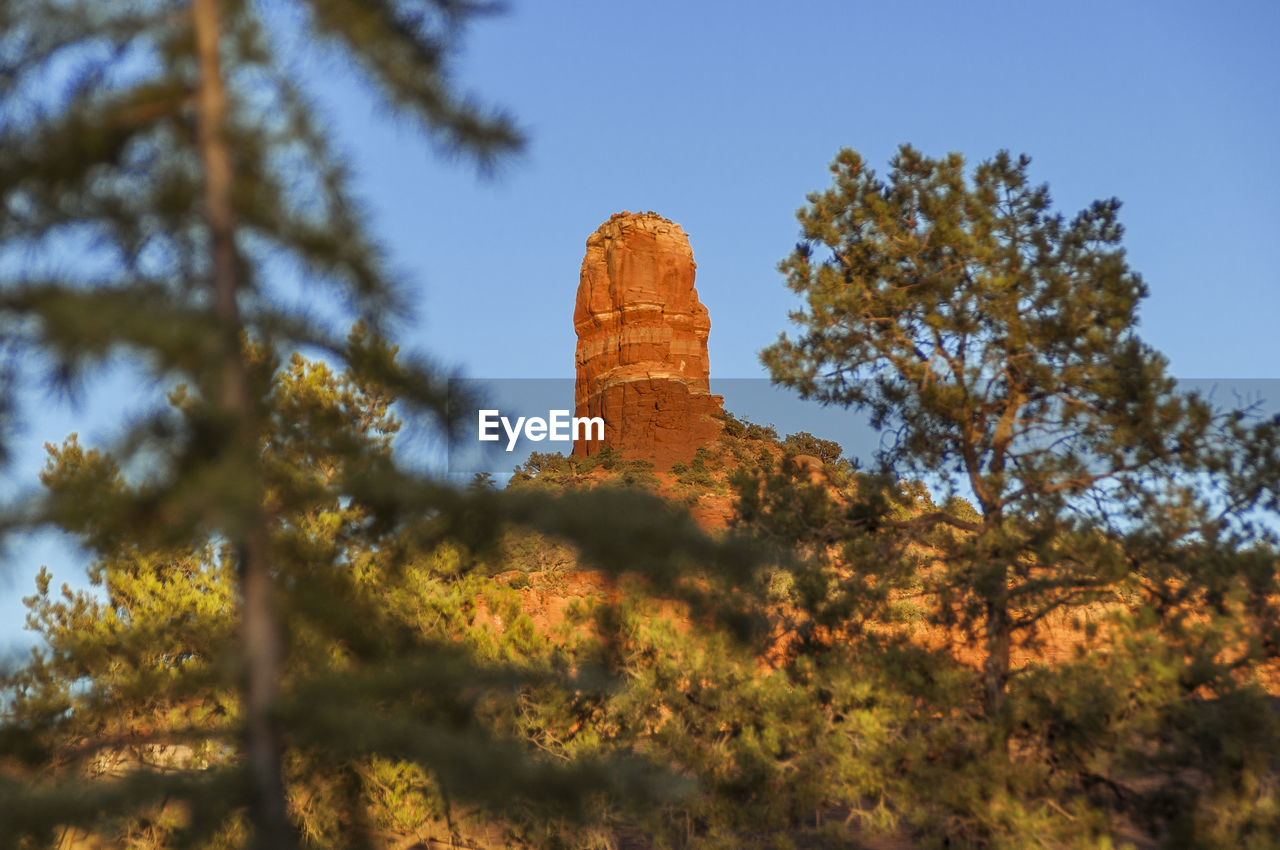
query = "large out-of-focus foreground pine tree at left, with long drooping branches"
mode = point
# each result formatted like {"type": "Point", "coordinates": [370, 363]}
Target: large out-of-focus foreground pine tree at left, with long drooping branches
{"type": "Point", "coordinates": [167, 149]}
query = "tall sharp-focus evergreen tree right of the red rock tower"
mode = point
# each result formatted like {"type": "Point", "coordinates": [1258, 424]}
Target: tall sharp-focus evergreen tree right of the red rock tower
{"type": "Point", "coordinates": [995, 340]}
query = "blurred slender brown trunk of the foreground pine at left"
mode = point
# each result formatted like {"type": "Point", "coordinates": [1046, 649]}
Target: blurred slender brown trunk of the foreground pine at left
{"type": "Point", "coordinates": [260, 629]}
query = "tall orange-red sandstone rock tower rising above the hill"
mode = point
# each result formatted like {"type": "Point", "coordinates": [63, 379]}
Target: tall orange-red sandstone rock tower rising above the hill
{"type": "Point", "coordinates": [642, 342]}
